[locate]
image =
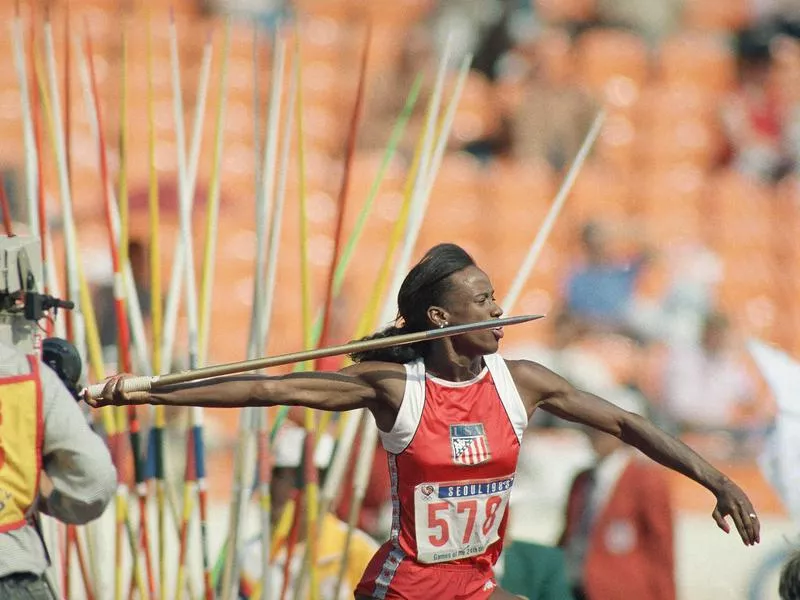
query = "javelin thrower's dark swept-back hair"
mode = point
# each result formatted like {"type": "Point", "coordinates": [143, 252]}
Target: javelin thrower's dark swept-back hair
{"type": "Point", "coordinates": [426, 285]}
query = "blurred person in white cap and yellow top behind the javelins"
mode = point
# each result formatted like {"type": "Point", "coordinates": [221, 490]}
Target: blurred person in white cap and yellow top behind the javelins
{"type": "Point", "coordinates": [287, 455]}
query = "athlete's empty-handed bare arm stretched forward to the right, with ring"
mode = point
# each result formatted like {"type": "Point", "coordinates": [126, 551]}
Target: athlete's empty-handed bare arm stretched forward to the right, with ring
{"type": "Point", "coordinates": [541, 388]}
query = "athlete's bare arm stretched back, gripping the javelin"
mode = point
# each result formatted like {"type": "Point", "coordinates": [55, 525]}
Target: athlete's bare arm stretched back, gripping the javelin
{"type": "Point", "coordinates": [376, 386]}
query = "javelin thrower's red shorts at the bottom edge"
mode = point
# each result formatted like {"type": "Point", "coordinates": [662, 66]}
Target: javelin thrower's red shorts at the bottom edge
{"type": "Point", "coordinates": [392, 575]}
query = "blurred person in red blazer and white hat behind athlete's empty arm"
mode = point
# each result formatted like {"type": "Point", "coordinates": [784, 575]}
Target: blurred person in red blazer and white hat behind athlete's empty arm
{"type": "Point", "coordinates": [618, 534]}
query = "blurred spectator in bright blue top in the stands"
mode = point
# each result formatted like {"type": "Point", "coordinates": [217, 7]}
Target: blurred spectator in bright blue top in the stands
{"type": "Point", "coordinates": [601, 290]}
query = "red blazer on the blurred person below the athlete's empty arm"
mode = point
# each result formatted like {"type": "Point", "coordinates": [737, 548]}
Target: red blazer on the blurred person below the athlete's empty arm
{"type": "Point", "coordinates": [630, 552]}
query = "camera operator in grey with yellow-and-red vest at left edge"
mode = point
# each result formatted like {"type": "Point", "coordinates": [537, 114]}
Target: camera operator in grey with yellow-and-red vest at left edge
{"type": "Point", "coordinates": [50, 461]}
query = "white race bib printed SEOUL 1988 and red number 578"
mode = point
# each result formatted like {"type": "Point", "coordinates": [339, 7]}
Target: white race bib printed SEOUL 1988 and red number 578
{"type": "Point", "coordinates": [459, 519]}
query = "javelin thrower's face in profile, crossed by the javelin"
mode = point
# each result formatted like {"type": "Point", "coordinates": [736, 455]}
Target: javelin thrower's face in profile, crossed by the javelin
{"type": "Point", "coordinates": [470, 300]}
